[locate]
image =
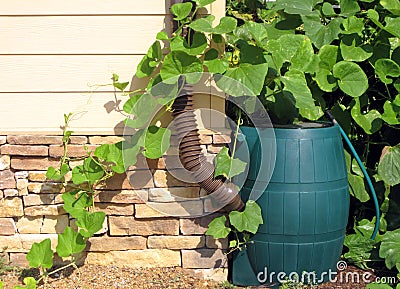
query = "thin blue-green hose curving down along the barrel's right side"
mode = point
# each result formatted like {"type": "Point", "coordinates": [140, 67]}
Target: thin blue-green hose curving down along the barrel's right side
{"type": "Point", "coordinates": [375, 199]}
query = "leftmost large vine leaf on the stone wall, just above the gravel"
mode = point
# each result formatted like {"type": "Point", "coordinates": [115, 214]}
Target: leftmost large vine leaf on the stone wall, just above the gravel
{"type": "Point", "coordinates": [40, 255]}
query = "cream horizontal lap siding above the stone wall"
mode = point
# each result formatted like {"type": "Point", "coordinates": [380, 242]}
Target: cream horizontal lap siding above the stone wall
{"type": "Point", "coordinates": [55, 55]}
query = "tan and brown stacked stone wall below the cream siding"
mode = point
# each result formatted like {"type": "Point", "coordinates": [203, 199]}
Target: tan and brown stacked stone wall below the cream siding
{"type": "Point", "coordinates": [133, 234]}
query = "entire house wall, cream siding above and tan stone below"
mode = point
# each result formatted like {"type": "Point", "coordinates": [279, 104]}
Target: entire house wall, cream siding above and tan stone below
{"type": "Point", "coordinates": [54, 58]}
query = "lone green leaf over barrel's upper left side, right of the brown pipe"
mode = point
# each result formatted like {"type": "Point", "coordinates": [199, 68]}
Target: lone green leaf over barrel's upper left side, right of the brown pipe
{"type": "Point", "coordinates": [227, 166]}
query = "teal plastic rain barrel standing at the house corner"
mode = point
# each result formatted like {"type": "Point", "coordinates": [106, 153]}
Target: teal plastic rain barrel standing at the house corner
{"type": "Point", "coordinates": [305, 207]}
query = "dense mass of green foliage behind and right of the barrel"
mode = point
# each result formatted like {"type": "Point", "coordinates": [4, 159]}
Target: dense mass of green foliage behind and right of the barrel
{"type": "Point", "coordinates": [346, 59]}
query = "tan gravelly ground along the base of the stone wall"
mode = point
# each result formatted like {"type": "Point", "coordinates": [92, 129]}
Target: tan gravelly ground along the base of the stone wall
{"type": "Point", "coordinates": [96, 277]}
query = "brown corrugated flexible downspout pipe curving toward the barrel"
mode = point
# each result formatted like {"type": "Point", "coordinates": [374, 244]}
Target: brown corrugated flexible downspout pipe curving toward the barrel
{"type": "Point", "coordinates": [192, 158]}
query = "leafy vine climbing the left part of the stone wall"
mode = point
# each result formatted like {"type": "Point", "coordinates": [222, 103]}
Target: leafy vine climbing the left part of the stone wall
{"type": "Point", "coordinates": [78, 196]}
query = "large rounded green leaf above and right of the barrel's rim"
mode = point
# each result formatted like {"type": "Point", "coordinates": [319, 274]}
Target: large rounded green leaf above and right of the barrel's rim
{"type": "Point", "coordinates": [351, 78]}
